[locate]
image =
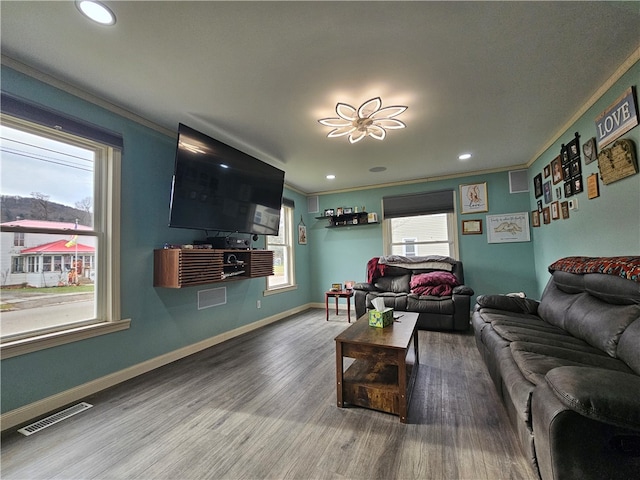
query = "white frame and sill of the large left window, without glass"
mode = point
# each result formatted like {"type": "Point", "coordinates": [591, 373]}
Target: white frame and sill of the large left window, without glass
{"type": "Point", "coordinates": [107, 231]}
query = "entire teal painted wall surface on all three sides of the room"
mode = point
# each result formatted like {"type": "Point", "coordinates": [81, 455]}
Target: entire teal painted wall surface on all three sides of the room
{"type": "Point", "coordinates": [164, 320]}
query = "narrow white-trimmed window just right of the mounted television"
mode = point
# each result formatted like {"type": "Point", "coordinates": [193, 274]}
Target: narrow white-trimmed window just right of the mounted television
{"type": "Point", "coordinates": [282, 247]}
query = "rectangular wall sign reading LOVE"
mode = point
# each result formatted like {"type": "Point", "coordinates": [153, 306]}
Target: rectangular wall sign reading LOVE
{"type": "Point", "coordinates": [618, 119]}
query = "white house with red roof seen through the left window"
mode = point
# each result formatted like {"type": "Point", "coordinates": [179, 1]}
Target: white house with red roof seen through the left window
{"type": "Point", "coordinates": [46, 259]}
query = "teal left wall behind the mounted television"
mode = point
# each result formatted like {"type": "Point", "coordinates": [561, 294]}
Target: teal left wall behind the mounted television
{"type": "Point", "coordinates": [162, 320]}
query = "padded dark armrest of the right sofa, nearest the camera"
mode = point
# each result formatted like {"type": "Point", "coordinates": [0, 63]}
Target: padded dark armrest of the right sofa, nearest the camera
{"type": "Point", "coordinates": [603, 395]}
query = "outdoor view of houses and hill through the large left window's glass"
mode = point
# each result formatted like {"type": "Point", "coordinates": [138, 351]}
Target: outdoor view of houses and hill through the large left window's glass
{"type": "Point", "coordinates": [47, 264]}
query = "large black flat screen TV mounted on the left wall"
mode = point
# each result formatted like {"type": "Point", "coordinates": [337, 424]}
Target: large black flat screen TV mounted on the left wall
{"type": "Point", "coordinates": [219, 188]}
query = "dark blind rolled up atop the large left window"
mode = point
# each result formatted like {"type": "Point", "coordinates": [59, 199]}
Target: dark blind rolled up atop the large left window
{"type": "Point", "coordinates": [31, 112]}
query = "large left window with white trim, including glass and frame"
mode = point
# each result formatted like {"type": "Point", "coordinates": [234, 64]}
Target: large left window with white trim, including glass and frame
{"type": "Point", "coordinates": [64, 271]}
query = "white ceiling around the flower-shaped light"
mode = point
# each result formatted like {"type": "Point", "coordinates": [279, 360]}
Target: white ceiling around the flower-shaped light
{"type": "Point", "coordinates": [498, 79]}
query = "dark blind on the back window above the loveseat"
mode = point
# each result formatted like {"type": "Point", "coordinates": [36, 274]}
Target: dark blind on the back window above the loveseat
{"type": "Point", "coordinates": [424, 203]}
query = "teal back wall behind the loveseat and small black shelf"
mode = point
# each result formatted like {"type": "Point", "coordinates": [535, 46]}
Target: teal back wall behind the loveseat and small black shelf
{"type": "Point", "coordinates": [341, 254]}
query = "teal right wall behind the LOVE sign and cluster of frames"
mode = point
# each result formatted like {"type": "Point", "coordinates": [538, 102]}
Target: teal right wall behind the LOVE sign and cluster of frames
{"type": "Point", "coordinates": [603, 226]}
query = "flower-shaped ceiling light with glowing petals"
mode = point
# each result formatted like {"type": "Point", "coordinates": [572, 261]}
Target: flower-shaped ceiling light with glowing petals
{"type": "Point", "coordinates": [368, 120]}
